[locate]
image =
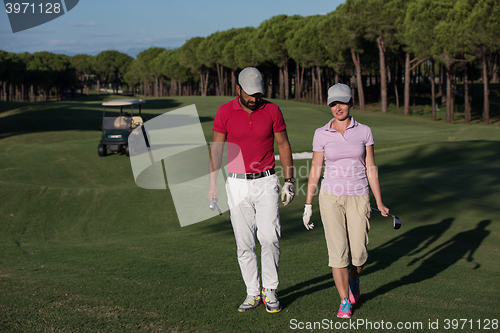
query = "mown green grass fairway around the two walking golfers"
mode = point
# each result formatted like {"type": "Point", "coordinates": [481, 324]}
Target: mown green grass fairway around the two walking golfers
{"type": "Point", "coordinates": [83, 249]}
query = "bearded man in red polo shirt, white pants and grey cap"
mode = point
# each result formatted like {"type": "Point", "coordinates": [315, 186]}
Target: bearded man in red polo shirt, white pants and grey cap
{"type": "Point", "coordinates": [250, 125]}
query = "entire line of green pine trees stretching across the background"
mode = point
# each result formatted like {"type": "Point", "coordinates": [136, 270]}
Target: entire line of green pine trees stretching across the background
{"type": "Point", "coordinates": [383, 49]}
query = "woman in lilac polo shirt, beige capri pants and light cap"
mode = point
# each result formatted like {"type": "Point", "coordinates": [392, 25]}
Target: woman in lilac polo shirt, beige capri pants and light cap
{"type": "Point", "coordinates": [346, 148]}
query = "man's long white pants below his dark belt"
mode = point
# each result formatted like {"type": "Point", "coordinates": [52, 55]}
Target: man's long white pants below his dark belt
{"type": "Point", "coordinates": [253, 207]}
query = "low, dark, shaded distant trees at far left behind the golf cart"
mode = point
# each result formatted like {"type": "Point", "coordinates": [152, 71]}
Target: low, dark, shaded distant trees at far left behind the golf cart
{"type": "Point", "coordinates": [33, 77]}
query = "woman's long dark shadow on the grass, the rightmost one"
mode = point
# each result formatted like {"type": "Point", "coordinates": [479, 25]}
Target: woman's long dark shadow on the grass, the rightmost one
{"type": "Point", "coordinates": [438, 259]}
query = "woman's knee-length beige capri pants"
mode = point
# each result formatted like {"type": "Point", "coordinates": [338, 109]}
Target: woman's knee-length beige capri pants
{"type": "Point", "coordinates": [346, 221]}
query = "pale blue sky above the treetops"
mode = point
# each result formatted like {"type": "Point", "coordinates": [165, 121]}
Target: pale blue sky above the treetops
{"type": "Point", "coordinates": [130, 26]}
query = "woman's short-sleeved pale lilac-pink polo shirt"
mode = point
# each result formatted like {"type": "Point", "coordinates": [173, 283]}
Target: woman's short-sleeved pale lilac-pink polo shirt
{"type": "Point", "coordinates": [345, 169]}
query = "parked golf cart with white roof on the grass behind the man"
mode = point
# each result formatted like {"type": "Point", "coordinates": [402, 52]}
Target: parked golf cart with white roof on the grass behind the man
{"type": "Point", "coordinates": [115, 130]}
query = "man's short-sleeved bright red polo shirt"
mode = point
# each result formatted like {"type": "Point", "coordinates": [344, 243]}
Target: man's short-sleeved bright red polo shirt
{"type": "Point", "coordinates": [252, 133]}
